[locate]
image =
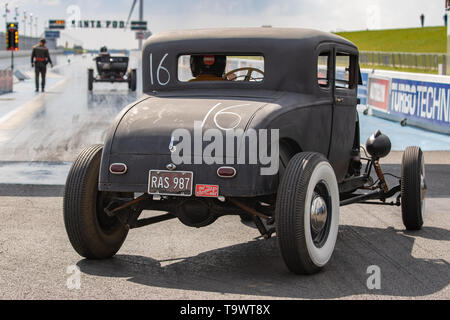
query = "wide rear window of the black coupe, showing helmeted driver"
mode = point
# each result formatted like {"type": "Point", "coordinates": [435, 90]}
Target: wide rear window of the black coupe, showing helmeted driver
{"type": "Point", "coordinates": [213, 67]}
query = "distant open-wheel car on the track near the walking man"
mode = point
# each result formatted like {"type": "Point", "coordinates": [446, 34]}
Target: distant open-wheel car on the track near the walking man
{"type": "Point", "coordinates": [112, 69]}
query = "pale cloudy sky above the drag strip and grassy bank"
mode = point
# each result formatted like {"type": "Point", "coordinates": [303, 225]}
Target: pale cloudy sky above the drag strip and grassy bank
{"type": "Point", "coordinates": [326, 15]}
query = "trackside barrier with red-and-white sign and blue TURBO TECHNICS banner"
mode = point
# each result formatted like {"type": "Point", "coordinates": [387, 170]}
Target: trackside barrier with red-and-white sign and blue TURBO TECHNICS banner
{"type": "Point", "coordinates": [416, 99]}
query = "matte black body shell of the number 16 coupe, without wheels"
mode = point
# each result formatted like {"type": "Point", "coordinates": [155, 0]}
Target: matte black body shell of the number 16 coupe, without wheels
{"type": "Point", "coordinates": [309, 117]}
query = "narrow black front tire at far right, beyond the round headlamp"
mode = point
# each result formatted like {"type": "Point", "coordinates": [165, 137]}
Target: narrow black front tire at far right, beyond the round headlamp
{"type": "Point", "coordinates": [413, 190]}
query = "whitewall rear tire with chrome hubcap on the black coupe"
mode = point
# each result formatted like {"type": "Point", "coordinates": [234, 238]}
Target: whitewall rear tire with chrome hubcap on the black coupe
{"type": "Point", "coordinates": [308, 178]}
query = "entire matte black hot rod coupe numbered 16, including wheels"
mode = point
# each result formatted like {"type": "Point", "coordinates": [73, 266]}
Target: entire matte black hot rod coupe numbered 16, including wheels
{"type": "Point", "coordinates": [299, 84]}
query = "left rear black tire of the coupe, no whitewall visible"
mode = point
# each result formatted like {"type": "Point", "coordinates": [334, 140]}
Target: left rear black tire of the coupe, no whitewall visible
{"type": "Point", "coordinates": [91, 232]}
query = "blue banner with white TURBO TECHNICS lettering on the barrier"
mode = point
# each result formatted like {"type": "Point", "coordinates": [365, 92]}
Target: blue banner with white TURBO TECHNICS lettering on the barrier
{"type": "Point", "coordinates": [423, 101]}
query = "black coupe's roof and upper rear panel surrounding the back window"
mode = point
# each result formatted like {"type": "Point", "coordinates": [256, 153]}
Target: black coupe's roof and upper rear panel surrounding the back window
{"type": "Point", "coordinates": [290, 55]}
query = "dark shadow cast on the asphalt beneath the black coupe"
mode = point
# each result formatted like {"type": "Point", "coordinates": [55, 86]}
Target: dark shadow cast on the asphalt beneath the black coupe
{"type": "Point", "coordinates": [256, 268]}
